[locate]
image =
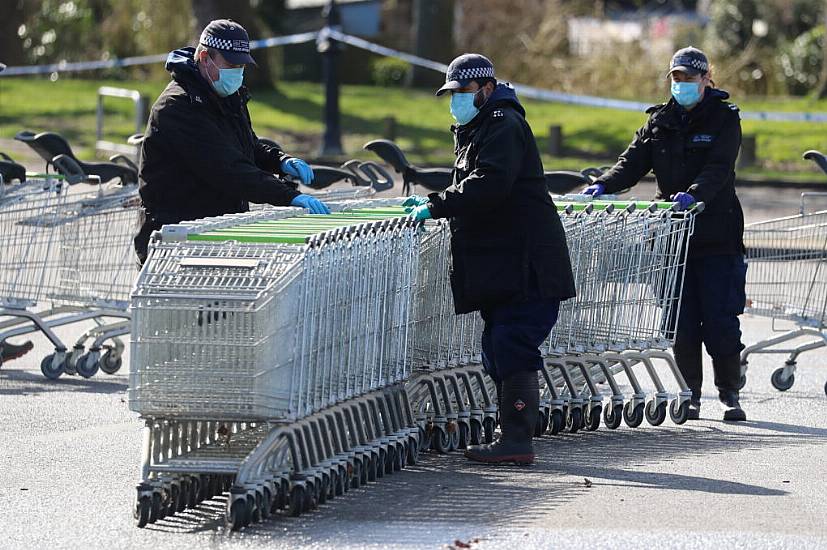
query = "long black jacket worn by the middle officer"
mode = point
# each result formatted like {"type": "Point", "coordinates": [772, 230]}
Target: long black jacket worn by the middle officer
{"type": "Point", "coordinates": [507, 241]}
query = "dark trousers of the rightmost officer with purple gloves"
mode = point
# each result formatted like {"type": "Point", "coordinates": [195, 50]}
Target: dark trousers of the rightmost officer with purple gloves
{"type": "Point", "coordinates": [713, 298]}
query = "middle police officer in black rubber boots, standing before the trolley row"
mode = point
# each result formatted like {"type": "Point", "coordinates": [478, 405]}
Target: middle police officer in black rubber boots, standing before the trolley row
{"type": "Point", "coordinates": [510, 258]}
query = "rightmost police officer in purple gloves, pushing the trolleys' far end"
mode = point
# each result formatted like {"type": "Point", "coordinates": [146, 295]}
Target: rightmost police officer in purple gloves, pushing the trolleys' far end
{"type": "Point", "coordinates": [691, 144]}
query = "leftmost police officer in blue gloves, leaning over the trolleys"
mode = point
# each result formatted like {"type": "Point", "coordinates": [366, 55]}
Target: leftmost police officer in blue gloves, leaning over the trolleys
{"type": "Point", "coordinates": [200, 156]}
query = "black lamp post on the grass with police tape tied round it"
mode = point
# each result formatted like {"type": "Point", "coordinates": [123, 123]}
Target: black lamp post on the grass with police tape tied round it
{"type": "Point", "coordinates": [329, 48]}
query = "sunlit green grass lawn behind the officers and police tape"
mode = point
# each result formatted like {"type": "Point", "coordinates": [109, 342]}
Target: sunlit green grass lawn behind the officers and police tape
{"type": "Point", "coordinates": [292, 115]}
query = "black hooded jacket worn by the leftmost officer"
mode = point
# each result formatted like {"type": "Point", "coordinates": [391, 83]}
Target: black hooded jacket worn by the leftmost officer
{"type": "Point", "coordinates": [200, 156]}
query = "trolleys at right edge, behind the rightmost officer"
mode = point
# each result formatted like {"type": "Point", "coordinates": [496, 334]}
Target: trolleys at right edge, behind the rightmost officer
{"type": "Point", "coordinates": [787, 281]}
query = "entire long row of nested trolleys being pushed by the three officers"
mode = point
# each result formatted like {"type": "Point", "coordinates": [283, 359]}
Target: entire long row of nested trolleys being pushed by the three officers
{"type": "Point", "coordinates": [287, 358]}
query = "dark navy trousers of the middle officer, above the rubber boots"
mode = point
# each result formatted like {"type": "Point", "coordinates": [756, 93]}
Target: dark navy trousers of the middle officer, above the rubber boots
{"type": "Point", "coordinates": [513, 334]}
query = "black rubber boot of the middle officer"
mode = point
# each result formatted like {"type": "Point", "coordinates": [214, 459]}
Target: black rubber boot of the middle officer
{"type": "Point", "coordinates": [518, 418]}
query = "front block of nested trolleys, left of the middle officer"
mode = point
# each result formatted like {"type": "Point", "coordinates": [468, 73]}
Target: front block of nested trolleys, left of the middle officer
{"type": "Point", "coordinates": [287, 332]}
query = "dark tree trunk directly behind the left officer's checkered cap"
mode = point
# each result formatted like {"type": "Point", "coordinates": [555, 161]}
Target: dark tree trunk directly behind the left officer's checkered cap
{"type": "Point", "coordinates": [241, 11]}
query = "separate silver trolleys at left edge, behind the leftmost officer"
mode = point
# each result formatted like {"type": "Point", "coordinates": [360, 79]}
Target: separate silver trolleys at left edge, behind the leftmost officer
{"type": "Point", "coordinates": [67, 259]}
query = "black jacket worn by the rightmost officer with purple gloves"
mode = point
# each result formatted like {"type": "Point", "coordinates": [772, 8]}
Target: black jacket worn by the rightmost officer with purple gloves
{"type": "Point", "coordinates": [692, 151]}
